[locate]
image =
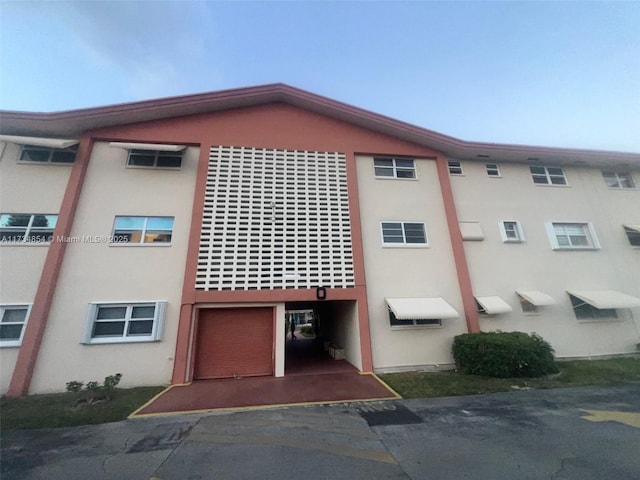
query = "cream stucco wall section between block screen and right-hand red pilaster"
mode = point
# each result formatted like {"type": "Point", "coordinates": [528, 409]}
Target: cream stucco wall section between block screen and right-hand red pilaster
{"type": "Point", "coordinates": [405, 271]}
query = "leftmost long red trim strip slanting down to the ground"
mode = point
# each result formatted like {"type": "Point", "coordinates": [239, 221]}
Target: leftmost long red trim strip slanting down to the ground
{"type": "Point", "coordinates": [34, 330]}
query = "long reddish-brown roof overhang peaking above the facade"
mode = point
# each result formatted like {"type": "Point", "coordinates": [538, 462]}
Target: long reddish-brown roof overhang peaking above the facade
{"type": "Point", "coordinates": [74, 122]}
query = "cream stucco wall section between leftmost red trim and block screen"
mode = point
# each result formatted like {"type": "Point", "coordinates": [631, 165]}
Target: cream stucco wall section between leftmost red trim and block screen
{"type": "Point", "coordinates": [102, 272]}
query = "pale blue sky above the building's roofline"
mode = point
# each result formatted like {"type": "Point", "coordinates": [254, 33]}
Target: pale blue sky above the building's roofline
{"type": "Point", "coordinates": [539, 73]}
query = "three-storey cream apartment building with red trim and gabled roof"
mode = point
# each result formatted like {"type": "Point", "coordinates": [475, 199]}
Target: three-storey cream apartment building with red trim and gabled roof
{"type": "Point", "coordinates": [168, 240]}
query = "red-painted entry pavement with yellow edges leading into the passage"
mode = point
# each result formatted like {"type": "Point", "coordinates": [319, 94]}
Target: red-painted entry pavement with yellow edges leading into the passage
{"type": "Point", "coordinates": [311, 377]}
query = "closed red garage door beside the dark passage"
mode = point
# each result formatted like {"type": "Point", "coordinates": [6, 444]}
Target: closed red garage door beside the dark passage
{"type": "Point", "coordinates": [234, 342]}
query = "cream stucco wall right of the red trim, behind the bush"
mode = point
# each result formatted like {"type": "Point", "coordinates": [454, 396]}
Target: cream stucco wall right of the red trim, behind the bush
{"type": "Point", "coordinates": [499, 268]}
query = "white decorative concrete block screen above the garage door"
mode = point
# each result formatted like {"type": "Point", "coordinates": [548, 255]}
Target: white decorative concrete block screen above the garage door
{"type": "Point", "coordinates": [275, 219]}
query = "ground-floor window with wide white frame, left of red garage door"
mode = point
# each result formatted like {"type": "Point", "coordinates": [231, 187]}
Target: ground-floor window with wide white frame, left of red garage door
{"type": "Point", "coordinates": [125, 322]}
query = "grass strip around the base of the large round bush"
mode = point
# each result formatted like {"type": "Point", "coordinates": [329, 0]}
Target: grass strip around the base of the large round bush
{"type": "Point", "coordinates": [572, 374]}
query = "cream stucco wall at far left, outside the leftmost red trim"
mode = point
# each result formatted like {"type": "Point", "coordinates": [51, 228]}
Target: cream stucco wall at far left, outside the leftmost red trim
{"type": "Point", "coordinates": [24, 188]}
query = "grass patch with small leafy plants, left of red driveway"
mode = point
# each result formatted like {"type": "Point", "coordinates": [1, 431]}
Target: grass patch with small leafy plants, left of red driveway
{"type": "Point", "coordinates": [55, 410]}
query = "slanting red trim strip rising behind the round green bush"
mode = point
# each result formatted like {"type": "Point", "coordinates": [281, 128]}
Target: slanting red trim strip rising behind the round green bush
{"type": "Point", "coordinates": [457, 246]}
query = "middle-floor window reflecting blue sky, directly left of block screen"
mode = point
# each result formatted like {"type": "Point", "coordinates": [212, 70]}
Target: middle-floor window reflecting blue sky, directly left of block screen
{"type": "Point", "coordinates": [139, 230]}
